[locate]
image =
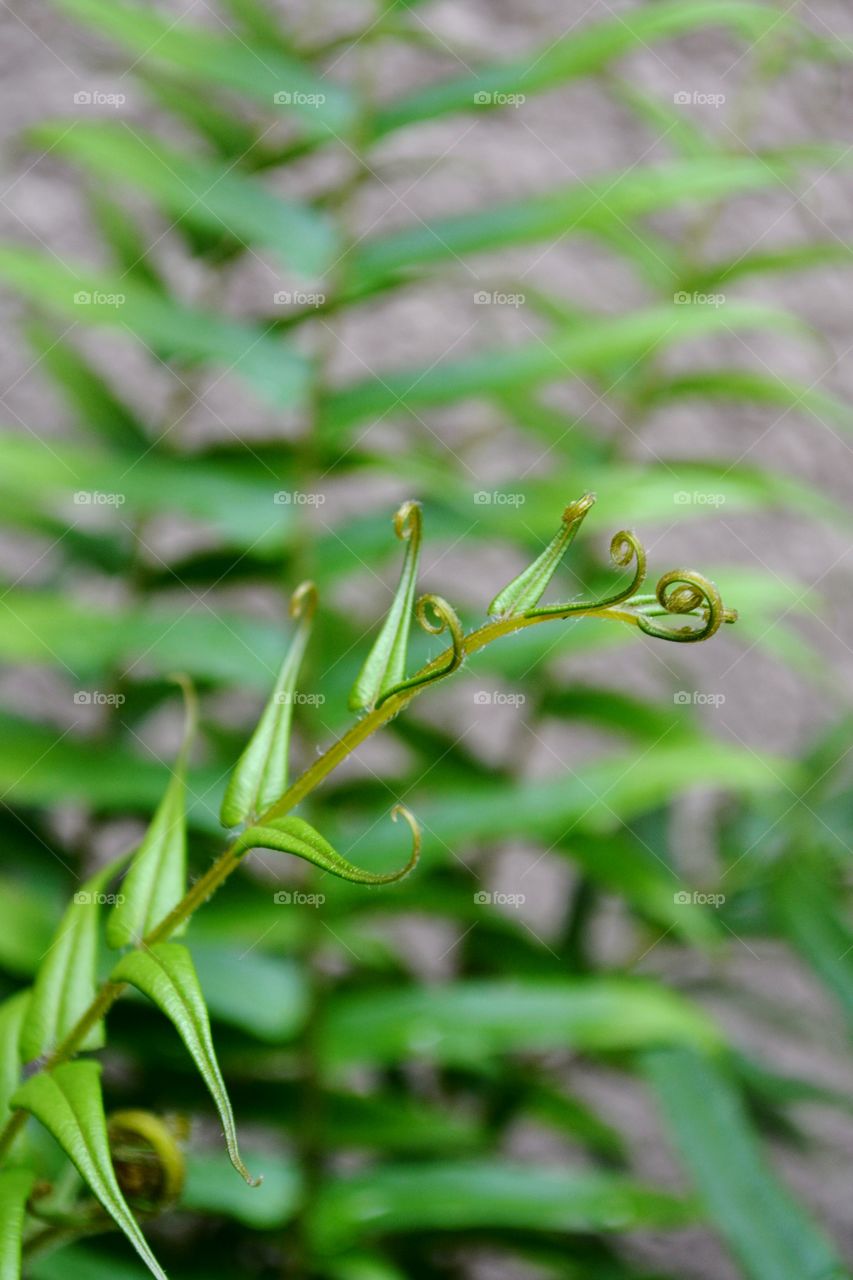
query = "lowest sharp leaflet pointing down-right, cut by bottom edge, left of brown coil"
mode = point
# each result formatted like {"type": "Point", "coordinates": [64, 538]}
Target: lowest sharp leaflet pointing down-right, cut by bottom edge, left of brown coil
{"type": "Point", "coordinates": [70, 1105]}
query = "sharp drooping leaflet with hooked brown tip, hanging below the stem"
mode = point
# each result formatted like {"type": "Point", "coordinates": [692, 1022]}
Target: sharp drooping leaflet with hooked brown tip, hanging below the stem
{"type": "Point", "coordinates": [167, 976]}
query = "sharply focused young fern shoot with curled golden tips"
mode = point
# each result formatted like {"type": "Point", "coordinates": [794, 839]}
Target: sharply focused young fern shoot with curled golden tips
{"type": "Point", "coordinates": [47, 1028]}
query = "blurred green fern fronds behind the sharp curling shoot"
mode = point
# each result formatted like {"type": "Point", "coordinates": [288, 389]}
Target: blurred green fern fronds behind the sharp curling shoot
{"type": "Point", "coordinates": [385, 1109]}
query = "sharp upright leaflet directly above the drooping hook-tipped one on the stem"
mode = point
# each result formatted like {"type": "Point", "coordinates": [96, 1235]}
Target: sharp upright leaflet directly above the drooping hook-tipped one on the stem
{"type": "Point", "coordinates": [158, 875]}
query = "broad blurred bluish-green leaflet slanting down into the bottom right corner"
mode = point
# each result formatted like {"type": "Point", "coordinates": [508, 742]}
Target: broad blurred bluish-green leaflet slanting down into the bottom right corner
{"type": "Point", "coordinates": [765, 1228]}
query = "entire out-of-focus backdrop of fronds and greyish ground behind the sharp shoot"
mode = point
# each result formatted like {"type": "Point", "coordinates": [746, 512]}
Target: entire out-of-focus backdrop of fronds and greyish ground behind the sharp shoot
{"type": "Point", "coordinates": [272, 269]}
